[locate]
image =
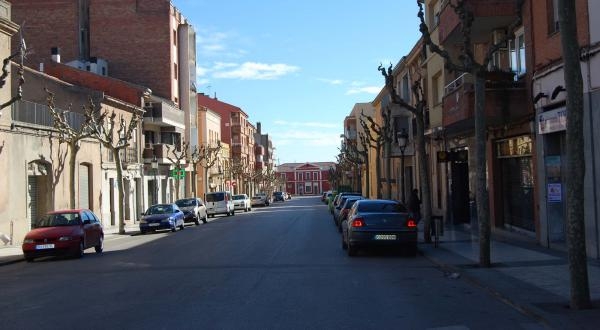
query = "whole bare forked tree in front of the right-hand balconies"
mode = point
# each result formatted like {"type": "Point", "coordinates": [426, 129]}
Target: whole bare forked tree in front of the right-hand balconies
{"type": "Point", "coordinates": [468, 63]}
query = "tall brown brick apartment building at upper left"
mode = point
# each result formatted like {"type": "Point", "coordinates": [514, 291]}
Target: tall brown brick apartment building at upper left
{"type": "Point", "coordinates": [146, 42]}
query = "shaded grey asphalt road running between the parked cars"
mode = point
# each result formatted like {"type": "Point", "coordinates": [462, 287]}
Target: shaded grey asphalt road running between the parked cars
{"type": "Point", "coordinates": [277, 267]}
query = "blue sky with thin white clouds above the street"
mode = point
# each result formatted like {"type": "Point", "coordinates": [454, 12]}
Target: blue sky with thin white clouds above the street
{"type": "Point", "coordinates": [298, 67]}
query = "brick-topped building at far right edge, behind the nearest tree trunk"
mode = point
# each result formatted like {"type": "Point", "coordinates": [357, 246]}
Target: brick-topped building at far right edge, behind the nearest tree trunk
{"type": "Point", "coordinates": [549, 101]}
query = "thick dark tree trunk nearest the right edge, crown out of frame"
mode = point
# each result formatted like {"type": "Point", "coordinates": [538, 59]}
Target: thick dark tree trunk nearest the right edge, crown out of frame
{"type": "Point", "coordinates": [580, 292]}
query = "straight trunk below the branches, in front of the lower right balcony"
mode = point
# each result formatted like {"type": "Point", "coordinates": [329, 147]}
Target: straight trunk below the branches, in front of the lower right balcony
{"type": "Point", "coordinates": [480, 170]}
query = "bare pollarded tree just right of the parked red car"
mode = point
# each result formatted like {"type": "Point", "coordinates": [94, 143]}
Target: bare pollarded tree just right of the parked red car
{"type": "Point", "coordinates": [115, 133]}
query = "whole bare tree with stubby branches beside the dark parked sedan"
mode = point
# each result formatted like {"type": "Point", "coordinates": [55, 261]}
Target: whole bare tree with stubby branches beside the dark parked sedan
{"type": "Point", "coordinates": [418, 110]}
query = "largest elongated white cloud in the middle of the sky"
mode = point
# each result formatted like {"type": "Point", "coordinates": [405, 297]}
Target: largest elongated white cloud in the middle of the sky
{"type": "Point", "coordinates": [256, 71]}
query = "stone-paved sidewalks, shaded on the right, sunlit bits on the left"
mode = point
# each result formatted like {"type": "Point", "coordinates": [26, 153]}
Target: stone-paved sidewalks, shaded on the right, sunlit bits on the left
{"type": "Point", "coordinates": [532, 279]}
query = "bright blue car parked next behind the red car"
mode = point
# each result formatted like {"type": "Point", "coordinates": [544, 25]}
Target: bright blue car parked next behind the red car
{"type": "Point", "coordinates": [162, 216]}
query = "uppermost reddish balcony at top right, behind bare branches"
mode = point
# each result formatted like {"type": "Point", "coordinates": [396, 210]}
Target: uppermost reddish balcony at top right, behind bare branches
{"type": "Point", "coordinates": [488, 16]}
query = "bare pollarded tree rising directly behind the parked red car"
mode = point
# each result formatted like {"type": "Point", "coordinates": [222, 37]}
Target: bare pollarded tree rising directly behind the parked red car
{"type": "Point", "coordinates": [71, 136]}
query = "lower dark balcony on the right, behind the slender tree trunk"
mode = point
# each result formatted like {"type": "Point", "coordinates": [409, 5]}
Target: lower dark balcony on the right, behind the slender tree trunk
{"type": "Point", "coordinates": [505, 100]}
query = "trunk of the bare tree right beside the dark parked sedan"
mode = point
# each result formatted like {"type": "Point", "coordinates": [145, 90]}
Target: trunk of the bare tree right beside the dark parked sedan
{"type": "Point", "coordinates": [424, 176]}
